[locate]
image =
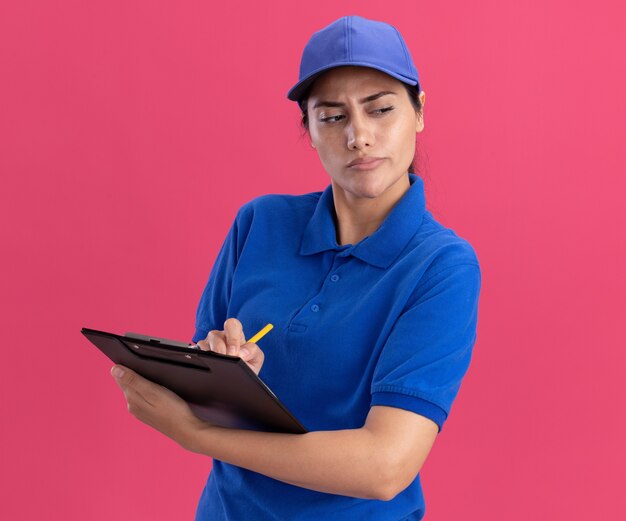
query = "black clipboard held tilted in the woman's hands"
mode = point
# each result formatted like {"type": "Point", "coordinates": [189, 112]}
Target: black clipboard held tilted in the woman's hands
{"type": "Point", "coordinates": [220, 389]}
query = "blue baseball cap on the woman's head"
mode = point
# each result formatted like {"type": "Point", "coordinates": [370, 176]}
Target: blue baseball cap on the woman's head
{"type": "Point", "coordinates": [353, 40]}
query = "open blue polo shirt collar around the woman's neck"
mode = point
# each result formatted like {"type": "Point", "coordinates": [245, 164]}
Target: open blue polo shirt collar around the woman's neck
{"type": "Point", "coordinates": [385, 244]}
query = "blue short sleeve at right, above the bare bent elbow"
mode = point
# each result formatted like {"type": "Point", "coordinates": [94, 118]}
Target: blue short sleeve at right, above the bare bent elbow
{"type": "Point", "coordinates": [429, 348]}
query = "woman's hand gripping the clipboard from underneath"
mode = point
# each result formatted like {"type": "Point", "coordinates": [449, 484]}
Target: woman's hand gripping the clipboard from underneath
{"type": "Point", "coordinates": [157, 406]}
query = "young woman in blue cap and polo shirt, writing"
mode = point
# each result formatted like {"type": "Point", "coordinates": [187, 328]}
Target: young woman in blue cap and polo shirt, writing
{"type": "Point", "coordinates": [374, 304]}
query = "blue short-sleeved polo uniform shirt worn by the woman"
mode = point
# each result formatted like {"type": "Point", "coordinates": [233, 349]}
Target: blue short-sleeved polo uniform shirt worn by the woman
{"type": "Point", "coordinates": [388, 321]}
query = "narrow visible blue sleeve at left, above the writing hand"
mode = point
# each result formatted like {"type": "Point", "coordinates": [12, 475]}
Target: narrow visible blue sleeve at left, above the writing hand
{"type": "Point", "coordinates": [213, 306]}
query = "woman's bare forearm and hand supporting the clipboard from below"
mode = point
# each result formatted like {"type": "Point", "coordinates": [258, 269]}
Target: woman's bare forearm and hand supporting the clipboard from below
{"type": "Point", "coordinates": [377, 461]}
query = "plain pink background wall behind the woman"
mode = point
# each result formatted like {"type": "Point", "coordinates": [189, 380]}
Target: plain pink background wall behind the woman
{"type": "Point", "coordinates": [130, 133]}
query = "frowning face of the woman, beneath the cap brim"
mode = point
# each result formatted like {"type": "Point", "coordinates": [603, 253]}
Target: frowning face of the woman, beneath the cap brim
{"type": "Point", "coordinates": [363, 126]}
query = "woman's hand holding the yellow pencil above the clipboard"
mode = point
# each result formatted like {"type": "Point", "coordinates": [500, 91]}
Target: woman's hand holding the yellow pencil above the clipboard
{"type": "Point", "coordinates": [232, 341]}
